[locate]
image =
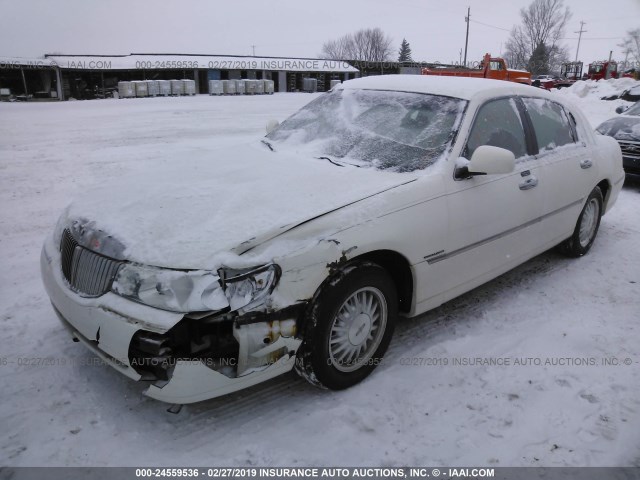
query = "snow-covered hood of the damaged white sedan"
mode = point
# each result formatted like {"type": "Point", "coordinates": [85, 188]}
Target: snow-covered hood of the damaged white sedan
{"type": "Point", "coordinates": [182, 215]}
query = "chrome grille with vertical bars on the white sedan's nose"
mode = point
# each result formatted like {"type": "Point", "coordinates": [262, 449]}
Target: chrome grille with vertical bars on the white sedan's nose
{"type": "Point", "coordinates": [88, 273]}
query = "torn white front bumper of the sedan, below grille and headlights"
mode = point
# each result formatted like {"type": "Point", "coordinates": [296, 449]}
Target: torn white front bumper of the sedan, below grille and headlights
{"type": "Point", "coordinates": [107, 325]}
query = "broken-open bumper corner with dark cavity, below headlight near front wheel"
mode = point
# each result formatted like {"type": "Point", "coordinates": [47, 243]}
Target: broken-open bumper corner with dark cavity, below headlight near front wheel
{"type": "Point", "coordinates": [205, 356]}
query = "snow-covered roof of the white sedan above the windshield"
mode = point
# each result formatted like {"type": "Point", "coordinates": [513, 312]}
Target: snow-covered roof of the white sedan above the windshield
{"type": "Point", "coordinates": [458, 87]}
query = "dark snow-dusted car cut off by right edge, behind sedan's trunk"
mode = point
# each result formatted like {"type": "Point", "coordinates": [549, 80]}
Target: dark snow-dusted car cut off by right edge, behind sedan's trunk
{"type": "Point", "coordinates": [625, 128]}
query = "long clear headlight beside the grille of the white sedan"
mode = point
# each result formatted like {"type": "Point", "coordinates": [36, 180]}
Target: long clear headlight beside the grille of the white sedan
{"type": "Point", "coordinates": [174, 290]}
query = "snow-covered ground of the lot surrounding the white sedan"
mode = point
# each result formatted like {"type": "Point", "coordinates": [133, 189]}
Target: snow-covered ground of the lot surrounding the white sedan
{"type": "Point", "coordinates": [568, 315]}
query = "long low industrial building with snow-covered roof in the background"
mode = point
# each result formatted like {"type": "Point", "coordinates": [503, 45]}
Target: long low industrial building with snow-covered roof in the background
{"type": "Point", "coordinates": [96, 76]}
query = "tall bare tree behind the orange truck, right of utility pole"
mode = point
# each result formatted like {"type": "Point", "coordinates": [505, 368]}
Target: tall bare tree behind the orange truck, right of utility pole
{"type": "Point", "coordinates": [543, 23]}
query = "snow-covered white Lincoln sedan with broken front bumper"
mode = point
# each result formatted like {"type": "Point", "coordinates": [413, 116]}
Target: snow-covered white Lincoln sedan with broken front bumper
{"type": "Point", "coordinates": [383, 198]}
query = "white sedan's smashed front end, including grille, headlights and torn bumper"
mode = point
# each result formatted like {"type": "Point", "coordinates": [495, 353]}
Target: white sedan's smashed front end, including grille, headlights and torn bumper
{"type": "Point", "coordinates": [194, 335]}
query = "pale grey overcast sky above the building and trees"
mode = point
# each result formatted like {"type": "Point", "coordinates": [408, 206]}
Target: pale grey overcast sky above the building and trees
{"type": "Point", "coordinates": [295, 28]}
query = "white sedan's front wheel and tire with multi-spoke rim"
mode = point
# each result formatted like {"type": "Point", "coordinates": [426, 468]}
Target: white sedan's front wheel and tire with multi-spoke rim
{"type": "Point", "coordinates": [333, 354]}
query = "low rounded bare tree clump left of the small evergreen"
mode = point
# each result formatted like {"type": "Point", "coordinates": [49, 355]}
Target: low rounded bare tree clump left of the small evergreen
{"type": "Point", "coordinates": [368, 45]}
